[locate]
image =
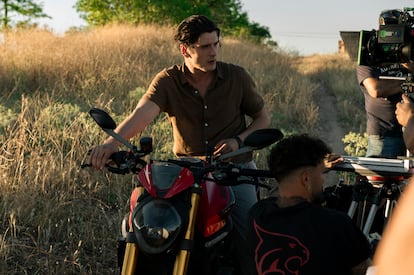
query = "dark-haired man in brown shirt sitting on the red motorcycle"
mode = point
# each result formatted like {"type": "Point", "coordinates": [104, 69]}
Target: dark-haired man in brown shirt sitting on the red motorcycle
{"type": "Point", "coordinates": [206, 102]}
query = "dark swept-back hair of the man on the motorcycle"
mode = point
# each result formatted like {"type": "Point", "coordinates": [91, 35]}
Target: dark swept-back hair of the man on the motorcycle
{"type": "Point", "coordinates": [189, 30]}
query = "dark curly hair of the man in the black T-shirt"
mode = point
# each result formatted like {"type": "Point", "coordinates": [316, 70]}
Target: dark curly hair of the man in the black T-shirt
{"type": "Point", "coordinates": [294, 152]}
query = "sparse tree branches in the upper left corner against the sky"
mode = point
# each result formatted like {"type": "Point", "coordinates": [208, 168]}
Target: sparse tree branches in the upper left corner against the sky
{"type": "Point", "coordinates": [26, 9]}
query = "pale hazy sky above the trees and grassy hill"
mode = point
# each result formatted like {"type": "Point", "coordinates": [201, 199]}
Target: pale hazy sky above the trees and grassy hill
{"type": "Point", "coordinates": [303, 26]}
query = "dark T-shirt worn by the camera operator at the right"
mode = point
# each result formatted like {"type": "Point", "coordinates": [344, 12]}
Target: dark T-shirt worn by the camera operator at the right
{"type": "Point", "coordinates": [380, 112]}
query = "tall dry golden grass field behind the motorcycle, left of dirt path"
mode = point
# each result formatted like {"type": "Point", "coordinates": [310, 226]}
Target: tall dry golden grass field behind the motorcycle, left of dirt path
{"type": "Point", "coordinates": [55, 217]}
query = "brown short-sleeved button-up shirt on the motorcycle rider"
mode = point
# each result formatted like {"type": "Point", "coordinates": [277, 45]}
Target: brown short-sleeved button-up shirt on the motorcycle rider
{"type": "Point", "coordinates": [200, 122]}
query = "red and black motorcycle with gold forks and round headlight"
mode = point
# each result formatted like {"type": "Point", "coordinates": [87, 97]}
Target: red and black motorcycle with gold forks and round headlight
{"type": "Point", "coordinates": [179, 220]}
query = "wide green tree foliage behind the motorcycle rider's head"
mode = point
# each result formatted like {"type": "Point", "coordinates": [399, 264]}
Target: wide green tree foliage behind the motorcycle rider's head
{"type": "Point", "coordinates": [227, 13]}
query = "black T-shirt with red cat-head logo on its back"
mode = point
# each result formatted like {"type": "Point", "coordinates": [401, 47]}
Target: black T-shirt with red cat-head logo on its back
{"type": "Point", "coordinates": [304, 239]}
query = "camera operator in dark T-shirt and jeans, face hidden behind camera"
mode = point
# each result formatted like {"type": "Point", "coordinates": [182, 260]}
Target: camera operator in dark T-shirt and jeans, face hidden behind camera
{"type": "Point", "coordinates": [385, 138]}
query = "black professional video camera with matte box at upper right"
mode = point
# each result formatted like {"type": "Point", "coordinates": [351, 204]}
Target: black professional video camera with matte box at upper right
{"type": "Point", "coordinates": [393, 42]}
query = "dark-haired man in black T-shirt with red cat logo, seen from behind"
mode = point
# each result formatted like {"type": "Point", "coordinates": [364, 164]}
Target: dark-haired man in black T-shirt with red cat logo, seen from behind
{"type": "Point", "coordinates": [291, 233]}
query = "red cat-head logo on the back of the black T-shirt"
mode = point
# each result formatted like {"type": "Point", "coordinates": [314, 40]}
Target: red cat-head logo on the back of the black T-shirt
{"type": "Point", "coordinates": [283, 254]}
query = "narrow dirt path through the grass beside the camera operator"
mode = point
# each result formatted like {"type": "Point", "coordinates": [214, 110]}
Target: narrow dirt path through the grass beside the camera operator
{"type": "Point", "coordinates": [330, 129]}
